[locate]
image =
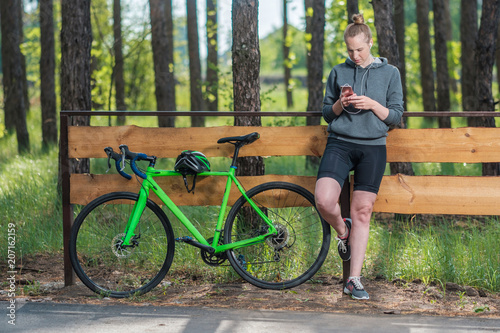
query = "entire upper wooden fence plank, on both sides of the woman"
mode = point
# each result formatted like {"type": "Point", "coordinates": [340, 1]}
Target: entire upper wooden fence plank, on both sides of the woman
{"type": "Point", "coordinates": [459, 145]}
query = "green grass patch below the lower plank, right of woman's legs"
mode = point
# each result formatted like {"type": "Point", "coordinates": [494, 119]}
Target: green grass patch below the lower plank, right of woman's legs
{"type": "Point", "coordinates": [446, 249]}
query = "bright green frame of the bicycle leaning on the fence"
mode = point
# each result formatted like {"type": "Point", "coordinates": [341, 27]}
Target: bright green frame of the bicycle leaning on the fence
{"type": "Point", "coordinates": [150, 184]}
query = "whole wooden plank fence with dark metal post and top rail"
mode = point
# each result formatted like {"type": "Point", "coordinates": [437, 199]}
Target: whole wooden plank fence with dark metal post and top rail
{"type": "Point", "coordinates": [399, 193]}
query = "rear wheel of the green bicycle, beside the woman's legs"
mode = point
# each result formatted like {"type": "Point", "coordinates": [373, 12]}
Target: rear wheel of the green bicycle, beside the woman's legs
{"type": "Point", "coordinates": [291, 257]}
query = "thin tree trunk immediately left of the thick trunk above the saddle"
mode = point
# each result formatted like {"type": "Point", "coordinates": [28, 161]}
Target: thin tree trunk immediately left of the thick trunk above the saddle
{"type": "Point", "coordinates": [212, 100]}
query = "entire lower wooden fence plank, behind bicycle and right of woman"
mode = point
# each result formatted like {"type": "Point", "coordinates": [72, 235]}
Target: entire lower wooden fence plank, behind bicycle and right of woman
{"type": "Point", "coordinates": [398, 194]}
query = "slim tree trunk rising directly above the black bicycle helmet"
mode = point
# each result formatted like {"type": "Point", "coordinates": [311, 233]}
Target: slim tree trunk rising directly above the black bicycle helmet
{"type": "Point", "coordinates": [194, 64]}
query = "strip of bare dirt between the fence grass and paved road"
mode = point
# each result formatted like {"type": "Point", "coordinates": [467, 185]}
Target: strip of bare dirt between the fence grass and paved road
{"type": "Point", "coordinates": [41, 280]}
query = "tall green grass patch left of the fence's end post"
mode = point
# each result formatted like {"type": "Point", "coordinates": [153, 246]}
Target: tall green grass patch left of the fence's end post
{"type": "Point", "coordinates": [29, 199]}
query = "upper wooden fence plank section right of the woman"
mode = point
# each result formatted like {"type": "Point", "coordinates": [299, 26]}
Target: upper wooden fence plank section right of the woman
{"type": "Point", "coordinates": [459, 145]}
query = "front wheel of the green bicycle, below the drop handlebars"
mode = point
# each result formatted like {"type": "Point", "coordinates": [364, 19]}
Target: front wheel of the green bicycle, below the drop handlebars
{"type": "Point", "coordinates": [107, 266]}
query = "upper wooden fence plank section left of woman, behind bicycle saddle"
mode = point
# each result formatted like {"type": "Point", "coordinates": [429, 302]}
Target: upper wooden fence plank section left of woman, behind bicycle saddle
{"type": "Point", "coordinates": [89, 142]}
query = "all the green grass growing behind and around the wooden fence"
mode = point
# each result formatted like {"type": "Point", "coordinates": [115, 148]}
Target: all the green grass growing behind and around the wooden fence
{"type": "Point", "coordinates": [445, 249]}
